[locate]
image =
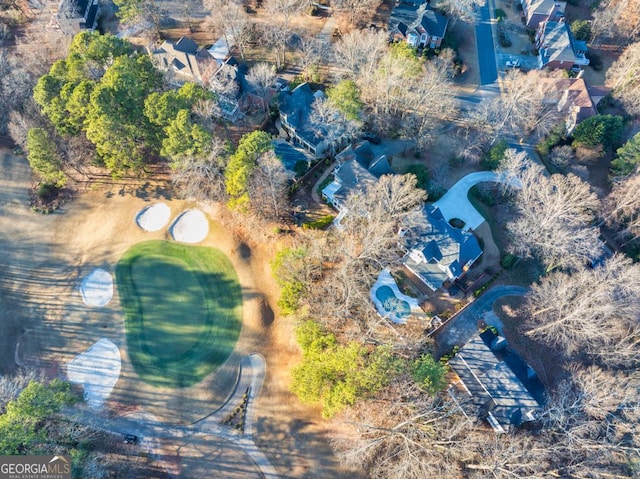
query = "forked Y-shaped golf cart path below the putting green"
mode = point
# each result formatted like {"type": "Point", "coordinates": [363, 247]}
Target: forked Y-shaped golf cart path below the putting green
{"type": "Point", "coordinates": [149, 429]}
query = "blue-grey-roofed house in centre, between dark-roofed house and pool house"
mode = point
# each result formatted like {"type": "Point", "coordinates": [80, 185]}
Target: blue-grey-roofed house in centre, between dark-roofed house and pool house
{"type": "Point", "coordinates": [358, 168]}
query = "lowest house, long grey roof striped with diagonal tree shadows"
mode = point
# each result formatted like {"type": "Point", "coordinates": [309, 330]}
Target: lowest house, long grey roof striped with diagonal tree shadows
{"type": "Point", "coordinates": [502, 387]}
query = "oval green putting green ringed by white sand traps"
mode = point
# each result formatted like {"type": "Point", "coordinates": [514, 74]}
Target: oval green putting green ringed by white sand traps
{"type": "Point", "coordinates": [183, 310]}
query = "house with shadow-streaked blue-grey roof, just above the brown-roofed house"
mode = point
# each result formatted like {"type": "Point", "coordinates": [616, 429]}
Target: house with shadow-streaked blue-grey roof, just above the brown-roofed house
{"type": "Point", "coordinates": [557, 47]}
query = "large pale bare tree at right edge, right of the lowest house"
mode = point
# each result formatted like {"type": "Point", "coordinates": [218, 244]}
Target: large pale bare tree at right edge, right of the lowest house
{"type": "Point", "coordinates": [594, 311]}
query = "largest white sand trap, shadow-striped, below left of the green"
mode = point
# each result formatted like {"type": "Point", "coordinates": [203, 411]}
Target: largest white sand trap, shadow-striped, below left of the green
{"type": "Point", "coordinates": [97, 370]}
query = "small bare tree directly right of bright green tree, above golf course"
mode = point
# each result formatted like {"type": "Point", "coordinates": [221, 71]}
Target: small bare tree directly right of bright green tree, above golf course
{"type": "Point", "coordinates": [268, 187]}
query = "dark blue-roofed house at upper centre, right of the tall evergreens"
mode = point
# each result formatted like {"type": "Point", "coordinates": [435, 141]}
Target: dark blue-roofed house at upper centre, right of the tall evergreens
{"type": "Point", "coordinates": [295, 108]}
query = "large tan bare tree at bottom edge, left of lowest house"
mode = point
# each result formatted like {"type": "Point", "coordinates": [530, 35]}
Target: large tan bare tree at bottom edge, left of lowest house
{"type": "Point", "coordinates": [403, 434]}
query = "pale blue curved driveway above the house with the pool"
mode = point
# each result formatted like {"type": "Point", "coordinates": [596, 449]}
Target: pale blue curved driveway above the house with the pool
{"type": "Point", "coordinates": [455, 203]}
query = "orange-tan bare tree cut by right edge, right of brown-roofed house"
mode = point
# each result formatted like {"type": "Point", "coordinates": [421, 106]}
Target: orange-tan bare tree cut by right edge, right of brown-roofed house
{"type": "Point", "coordinates": [624, 77]}
